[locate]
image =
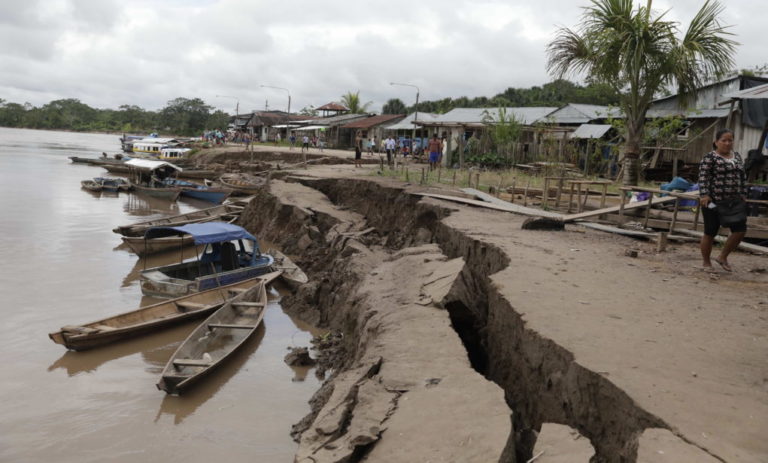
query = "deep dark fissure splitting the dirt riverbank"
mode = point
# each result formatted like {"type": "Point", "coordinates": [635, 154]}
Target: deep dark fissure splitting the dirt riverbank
{"type": "Point", "coordinates": [547, 387]}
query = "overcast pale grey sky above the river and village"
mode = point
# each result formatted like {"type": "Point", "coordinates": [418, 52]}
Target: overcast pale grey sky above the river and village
{"type": "Point", "coordinates": [145, 52]}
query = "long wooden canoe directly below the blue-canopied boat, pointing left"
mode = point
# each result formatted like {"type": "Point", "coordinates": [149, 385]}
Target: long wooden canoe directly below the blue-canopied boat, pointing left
{"type": "Point", "coordinates": [152, 317]}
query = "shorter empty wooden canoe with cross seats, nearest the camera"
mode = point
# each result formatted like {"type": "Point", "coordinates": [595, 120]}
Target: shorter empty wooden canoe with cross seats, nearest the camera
{"type": "Point", "coordinates": [214, 340]}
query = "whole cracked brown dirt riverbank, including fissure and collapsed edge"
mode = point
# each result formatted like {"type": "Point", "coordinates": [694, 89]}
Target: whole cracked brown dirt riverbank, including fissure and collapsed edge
{"type": "Point", "coordinates": [465, 338]}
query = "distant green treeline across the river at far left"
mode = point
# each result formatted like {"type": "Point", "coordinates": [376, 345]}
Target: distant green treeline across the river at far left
{"type": "Point", "coordinates": [181, 116]}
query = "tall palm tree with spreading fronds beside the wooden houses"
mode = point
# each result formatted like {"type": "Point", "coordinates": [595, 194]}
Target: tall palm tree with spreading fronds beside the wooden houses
{"type": "Point", "coordinates": [639, 53]}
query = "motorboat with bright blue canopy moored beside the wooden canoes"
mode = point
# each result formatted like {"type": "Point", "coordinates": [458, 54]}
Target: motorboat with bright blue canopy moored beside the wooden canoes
{"type": "Point", "coordinates": [230, 255]}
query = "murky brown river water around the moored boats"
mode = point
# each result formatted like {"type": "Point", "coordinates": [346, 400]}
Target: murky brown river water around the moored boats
{"type": "Point", "coordinates": [61, 264]}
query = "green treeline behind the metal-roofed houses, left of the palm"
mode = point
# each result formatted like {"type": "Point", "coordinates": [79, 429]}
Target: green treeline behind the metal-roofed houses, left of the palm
{"type": "Point", "coordinates": [556, 93]}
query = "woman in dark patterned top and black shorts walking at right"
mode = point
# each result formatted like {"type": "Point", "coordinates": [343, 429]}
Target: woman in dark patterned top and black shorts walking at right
{"type": "Point", "coordinates": [722, 181]}
